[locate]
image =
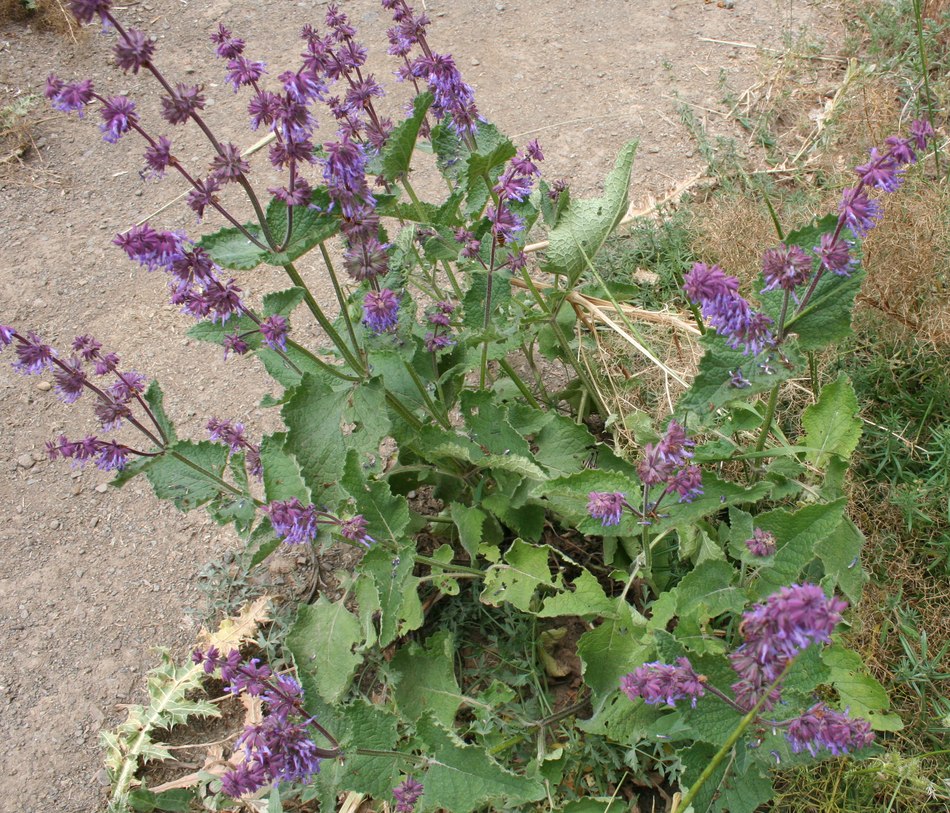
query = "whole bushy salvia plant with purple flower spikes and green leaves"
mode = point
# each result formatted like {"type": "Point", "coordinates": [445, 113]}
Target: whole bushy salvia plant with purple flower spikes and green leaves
{"type": "Point", "coordinates": [435, 352]}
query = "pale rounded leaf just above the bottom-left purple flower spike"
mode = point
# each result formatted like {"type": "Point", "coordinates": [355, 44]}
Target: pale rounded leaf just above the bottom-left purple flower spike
{"type": "Point", "coordinates": [323, 641]}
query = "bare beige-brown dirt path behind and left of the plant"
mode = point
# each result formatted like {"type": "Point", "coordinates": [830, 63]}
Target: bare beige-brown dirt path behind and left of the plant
{"type": "Point", "coordinates": [93, 577]}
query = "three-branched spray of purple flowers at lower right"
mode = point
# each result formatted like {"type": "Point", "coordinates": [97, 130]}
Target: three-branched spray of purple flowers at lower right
{"type": "Point", "coordinates": [775, 632]}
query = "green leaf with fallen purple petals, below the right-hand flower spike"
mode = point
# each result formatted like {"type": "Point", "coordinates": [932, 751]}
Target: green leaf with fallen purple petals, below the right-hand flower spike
{"type": "Point", "coordinates": [712, 388]}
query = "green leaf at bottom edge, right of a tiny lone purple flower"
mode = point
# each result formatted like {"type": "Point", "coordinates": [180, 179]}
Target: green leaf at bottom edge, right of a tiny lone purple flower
{"type": "Point", "coordinates": [463, 778]}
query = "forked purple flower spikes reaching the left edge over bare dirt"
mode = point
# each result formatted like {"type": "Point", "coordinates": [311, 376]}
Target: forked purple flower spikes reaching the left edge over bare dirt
{"type": "Point", "coordinates": [71, 379]}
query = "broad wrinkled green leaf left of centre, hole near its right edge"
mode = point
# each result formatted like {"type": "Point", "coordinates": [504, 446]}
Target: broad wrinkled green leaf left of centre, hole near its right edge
{"type": "Point", "coordinates": [313, 415]}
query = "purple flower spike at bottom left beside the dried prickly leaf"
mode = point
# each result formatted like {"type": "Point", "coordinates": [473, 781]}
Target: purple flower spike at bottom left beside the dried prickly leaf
{"type": "Point", "coordinates": [280, 747]}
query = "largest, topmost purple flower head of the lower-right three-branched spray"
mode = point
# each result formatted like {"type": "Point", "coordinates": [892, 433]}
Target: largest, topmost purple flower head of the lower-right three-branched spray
{"type": "Point", "coordinates": [775, 632]}
